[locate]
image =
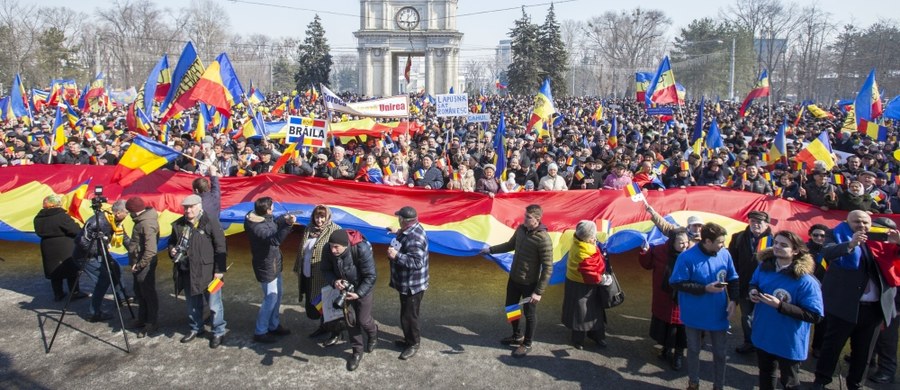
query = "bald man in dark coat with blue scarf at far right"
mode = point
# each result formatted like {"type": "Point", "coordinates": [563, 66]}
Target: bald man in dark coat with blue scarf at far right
{"type": "Point", "coordinates": [858, 301]}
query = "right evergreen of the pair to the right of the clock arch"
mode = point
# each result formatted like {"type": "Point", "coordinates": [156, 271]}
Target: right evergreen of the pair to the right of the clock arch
{"type": "Point", "coordinates": [553, 57]}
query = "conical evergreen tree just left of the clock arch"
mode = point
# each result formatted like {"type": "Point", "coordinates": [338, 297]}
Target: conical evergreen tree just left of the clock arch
{"type": "Point", "coordinates": [314, 58]}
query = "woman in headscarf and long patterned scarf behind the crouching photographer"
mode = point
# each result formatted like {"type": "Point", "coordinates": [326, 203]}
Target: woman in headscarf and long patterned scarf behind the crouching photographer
{"type": "Point", "coordinates": [313, 241]}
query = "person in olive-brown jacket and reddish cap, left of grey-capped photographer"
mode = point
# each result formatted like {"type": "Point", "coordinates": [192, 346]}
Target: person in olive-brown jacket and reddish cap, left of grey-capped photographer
{"type": "Point", "coordinates": [142, 258]}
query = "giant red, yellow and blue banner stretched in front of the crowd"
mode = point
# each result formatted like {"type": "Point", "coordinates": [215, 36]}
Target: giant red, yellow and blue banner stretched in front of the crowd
{"type": "Point", "coordinates": [457, 223]}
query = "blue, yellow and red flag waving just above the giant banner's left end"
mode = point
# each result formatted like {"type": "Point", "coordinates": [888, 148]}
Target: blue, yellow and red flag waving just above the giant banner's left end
{"type": "Point", "coordinates": [143, 157]}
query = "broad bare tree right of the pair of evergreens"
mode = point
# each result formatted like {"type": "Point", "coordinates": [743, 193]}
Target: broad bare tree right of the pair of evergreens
{"type": "Point", "coordinates": [628, 40]}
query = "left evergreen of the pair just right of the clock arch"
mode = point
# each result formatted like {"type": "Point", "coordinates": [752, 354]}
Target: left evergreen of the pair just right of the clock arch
{"type": "Point", "coordinates": [524, 72]}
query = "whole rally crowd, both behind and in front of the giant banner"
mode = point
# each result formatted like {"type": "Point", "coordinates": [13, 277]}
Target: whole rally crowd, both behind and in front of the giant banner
{"type": "Point", "coordinates": [840, 282]}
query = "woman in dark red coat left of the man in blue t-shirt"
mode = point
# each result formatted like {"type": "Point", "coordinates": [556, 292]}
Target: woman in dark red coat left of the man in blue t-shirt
{"type": "Point", "coordinates": [665, 323]}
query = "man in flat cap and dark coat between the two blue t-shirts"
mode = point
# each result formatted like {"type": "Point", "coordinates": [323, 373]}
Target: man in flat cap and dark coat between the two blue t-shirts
{"type": "Point", "coordinates": [743, 248]}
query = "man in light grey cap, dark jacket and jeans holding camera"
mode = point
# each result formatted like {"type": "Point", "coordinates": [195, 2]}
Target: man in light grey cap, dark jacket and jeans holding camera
{"type": "Point", "coordinates": [197, 247]}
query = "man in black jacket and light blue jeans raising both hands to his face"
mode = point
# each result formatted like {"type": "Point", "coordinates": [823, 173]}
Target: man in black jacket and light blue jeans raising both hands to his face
{"type": "Point", "coordinates": [266, 233]}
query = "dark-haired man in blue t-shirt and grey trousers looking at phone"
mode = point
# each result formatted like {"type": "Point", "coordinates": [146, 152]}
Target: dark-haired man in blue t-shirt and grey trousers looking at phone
{"type": "Point", "coordinates": [706, 282]}
